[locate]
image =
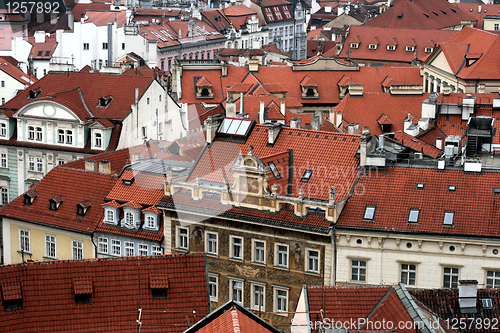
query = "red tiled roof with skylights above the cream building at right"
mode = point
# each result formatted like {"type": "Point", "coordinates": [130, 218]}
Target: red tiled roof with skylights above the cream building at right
{"type": "Point", "coordinates": [385, 192]}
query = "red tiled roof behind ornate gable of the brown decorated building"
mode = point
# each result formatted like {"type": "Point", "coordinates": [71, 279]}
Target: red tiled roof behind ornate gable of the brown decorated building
{"type": "Point", "coordinates": [337, 152]}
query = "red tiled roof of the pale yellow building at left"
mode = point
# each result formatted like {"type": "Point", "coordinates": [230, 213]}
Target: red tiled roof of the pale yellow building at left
{"type": "Point", "coordinates": [75, 186]}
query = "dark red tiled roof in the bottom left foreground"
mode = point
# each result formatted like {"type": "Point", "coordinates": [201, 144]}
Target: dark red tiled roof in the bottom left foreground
{"type": "Point", "coordinates": [48, 294]}
